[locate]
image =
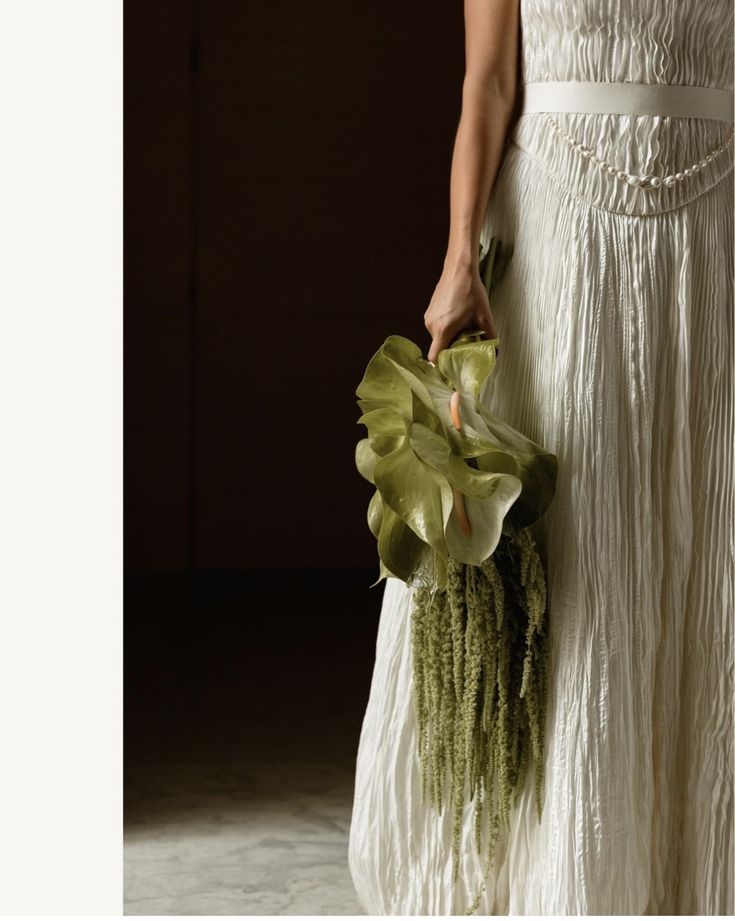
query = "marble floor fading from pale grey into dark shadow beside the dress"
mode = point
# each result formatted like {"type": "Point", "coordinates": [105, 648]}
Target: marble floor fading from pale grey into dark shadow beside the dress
{"type": "Point", "coordinates": [240, 748]}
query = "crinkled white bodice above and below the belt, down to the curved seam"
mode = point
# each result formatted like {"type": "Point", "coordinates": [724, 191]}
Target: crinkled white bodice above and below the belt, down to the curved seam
{"type": "Point", "coordinates": [688, 42]}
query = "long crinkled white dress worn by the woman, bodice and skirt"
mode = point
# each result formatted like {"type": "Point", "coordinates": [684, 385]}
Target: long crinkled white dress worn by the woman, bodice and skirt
{"type": "Point", "coordinates": [616, 322]}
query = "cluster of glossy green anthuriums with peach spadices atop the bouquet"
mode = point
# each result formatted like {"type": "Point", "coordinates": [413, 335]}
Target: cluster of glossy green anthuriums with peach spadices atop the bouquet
{"type": "Point", "coordinates": [449, 475]}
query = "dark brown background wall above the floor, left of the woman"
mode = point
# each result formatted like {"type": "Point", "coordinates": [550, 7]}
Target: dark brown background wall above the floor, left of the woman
{"type": "Point", "coordinates": [286, 208]}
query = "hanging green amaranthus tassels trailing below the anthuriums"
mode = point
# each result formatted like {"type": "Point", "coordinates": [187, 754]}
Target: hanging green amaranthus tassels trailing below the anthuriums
{"type": "Point", "coordinates": [479, 653]}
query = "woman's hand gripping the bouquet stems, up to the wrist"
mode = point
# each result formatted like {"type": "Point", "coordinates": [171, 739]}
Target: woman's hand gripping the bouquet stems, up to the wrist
{"type": "Point", "coordinates": [459, 302]}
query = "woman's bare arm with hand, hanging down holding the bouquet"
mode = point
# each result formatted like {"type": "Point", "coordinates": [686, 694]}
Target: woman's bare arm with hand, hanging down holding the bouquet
{"type": "Point", "coordinates": [488, 100]}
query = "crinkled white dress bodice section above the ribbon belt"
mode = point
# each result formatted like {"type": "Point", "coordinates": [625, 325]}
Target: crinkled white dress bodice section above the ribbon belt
{"type": "Point", "coordinates": [637, 41]}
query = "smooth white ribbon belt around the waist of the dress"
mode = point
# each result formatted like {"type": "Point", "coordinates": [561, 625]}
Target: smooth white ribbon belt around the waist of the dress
{"type": "Point", "coordinates": [678, 101]}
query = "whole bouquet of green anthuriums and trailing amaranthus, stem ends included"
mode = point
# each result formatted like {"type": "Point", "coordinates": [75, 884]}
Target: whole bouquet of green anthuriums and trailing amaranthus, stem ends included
{"type": "Point", "coordinates": [457, 515]}
